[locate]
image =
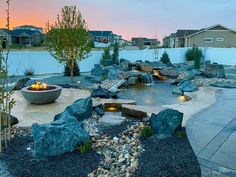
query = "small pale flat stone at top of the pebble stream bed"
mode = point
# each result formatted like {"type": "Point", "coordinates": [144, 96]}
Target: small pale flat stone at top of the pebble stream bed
{"type": "Point", "coordinates": [110, 119]}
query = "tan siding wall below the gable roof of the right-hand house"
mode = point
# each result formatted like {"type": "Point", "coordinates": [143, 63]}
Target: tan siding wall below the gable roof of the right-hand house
{"type": "Point", "coordinates": [198, 39]}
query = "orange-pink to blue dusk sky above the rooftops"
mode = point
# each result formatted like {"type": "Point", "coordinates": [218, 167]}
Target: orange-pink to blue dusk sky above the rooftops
{"type": "Point", "coordinates": [129, 18]}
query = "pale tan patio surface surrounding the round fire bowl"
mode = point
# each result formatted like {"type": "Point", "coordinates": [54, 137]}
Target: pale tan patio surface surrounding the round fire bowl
{"type": "Point", "coordinates": [28, 114]}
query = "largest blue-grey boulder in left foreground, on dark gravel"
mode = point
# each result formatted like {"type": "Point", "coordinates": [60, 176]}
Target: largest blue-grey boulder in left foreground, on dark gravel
{"type": "Point", "coordinates": [58, 137]}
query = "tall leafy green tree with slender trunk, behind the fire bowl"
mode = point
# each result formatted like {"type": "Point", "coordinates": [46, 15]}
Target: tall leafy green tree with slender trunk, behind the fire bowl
{"type": "Point", "coordinates": [68, 39]}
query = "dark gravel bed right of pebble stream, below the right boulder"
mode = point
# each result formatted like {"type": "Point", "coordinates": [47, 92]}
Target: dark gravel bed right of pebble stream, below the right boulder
{"type": "Point", "coordinates": [167, 157]}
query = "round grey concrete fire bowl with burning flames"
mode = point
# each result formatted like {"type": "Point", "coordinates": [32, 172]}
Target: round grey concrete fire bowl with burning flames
{"type": "Point", "coordinates": [41, 93]}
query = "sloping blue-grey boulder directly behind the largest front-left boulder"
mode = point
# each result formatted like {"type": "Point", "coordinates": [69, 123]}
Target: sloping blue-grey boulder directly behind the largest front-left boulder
{"type": "Point", "coordinates": [81, 109]}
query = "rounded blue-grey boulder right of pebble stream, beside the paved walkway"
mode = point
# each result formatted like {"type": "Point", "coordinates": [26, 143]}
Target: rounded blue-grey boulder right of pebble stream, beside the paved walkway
{"type": "Point", "coordinates": [166, 122]}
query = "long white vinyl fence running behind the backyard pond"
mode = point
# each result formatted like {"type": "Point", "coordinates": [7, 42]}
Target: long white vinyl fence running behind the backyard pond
{"type": "Point", "coordinates": [42, 62]}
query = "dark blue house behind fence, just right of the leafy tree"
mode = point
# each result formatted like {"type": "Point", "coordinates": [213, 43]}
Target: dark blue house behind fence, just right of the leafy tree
{"type": "Point", "coordinates": [102, 36]}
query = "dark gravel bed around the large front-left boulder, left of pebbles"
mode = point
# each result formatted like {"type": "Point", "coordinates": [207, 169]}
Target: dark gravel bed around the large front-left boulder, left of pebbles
{"type": "Point", "coordinates": [18, 162]}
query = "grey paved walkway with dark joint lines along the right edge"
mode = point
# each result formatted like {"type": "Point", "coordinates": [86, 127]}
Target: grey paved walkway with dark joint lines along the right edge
{"type": "Point", "coordinates": [213, 137]}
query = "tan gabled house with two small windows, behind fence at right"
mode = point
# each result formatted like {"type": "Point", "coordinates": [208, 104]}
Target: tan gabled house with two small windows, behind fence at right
{"type": "Point", "coordinates": [213, 36]}
